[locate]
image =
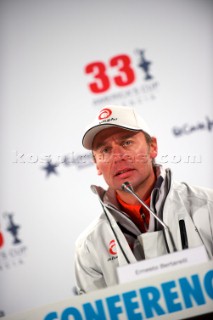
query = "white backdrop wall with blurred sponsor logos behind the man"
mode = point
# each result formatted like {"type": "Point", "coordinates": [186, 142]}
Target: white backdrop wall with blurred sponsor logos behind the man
{"type": "Point", "coordinates": [46, 102]}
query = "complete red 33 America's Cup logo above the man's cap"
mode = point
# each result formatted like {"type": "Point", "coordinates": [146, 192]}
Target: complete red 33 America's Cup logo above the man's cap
{"type": "Point", "coordinates": [125, 79]}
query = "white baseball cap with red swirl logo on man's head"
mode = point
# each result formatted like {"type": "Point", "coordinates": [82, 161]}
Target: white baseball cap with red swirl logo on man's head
{"type": "Point", "coordinates": [114, 116]}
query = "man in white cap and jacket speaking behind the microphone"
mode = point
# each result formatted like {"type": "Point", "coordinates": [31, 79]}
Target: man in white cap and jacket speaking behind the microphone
{"type": "Point", "coordinates": [124, 152]}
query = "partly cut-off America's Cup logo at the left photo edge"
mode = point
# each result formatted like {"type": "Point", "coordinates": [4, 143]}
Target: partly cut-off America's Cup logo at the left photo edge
{"type": "Point", "coordinates": [12, 248]}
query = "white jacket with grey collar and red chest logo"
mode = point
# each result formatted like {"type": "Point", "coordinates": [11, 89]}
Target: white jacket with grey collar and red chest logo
{"type": "Point", "coordinates": [105, 244]}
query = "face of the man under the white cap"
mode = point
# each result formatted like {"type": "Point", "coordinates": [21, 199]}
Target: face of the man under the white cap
{"type": "Point", "coordinates": [123, 155]}
